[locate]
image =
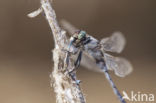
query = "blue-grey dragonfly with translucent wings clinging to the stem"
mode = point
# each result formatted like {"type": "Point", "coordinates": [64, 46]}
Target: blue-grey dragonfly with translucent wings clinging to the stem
{"type": "Point", "coordinates": [96, 52]}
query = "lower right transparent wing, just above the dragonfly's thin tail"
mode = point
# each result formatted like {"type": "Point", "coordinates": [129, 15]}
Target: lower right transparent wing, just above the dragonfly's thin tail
{"type": "Point", "coordinates": [120, 66]}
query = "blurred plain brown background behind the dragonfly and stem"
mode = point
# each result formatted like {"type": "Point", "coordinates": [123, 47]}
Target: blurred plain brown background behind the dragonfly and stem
{"type": "Point", "coordinates": [26, 44]}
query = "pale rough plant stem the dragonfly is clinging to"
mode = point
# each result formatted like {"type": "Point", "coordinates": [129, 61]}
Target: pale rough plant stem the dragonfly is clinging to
{"type": "Point", "coordinates": [66, 86]}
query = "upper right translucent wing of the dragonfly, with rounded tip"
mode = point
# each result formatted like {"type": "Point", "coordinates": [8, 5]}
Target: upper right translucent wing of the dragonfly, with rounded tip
{"type": "Point", "coordinates": [115, 43]}
